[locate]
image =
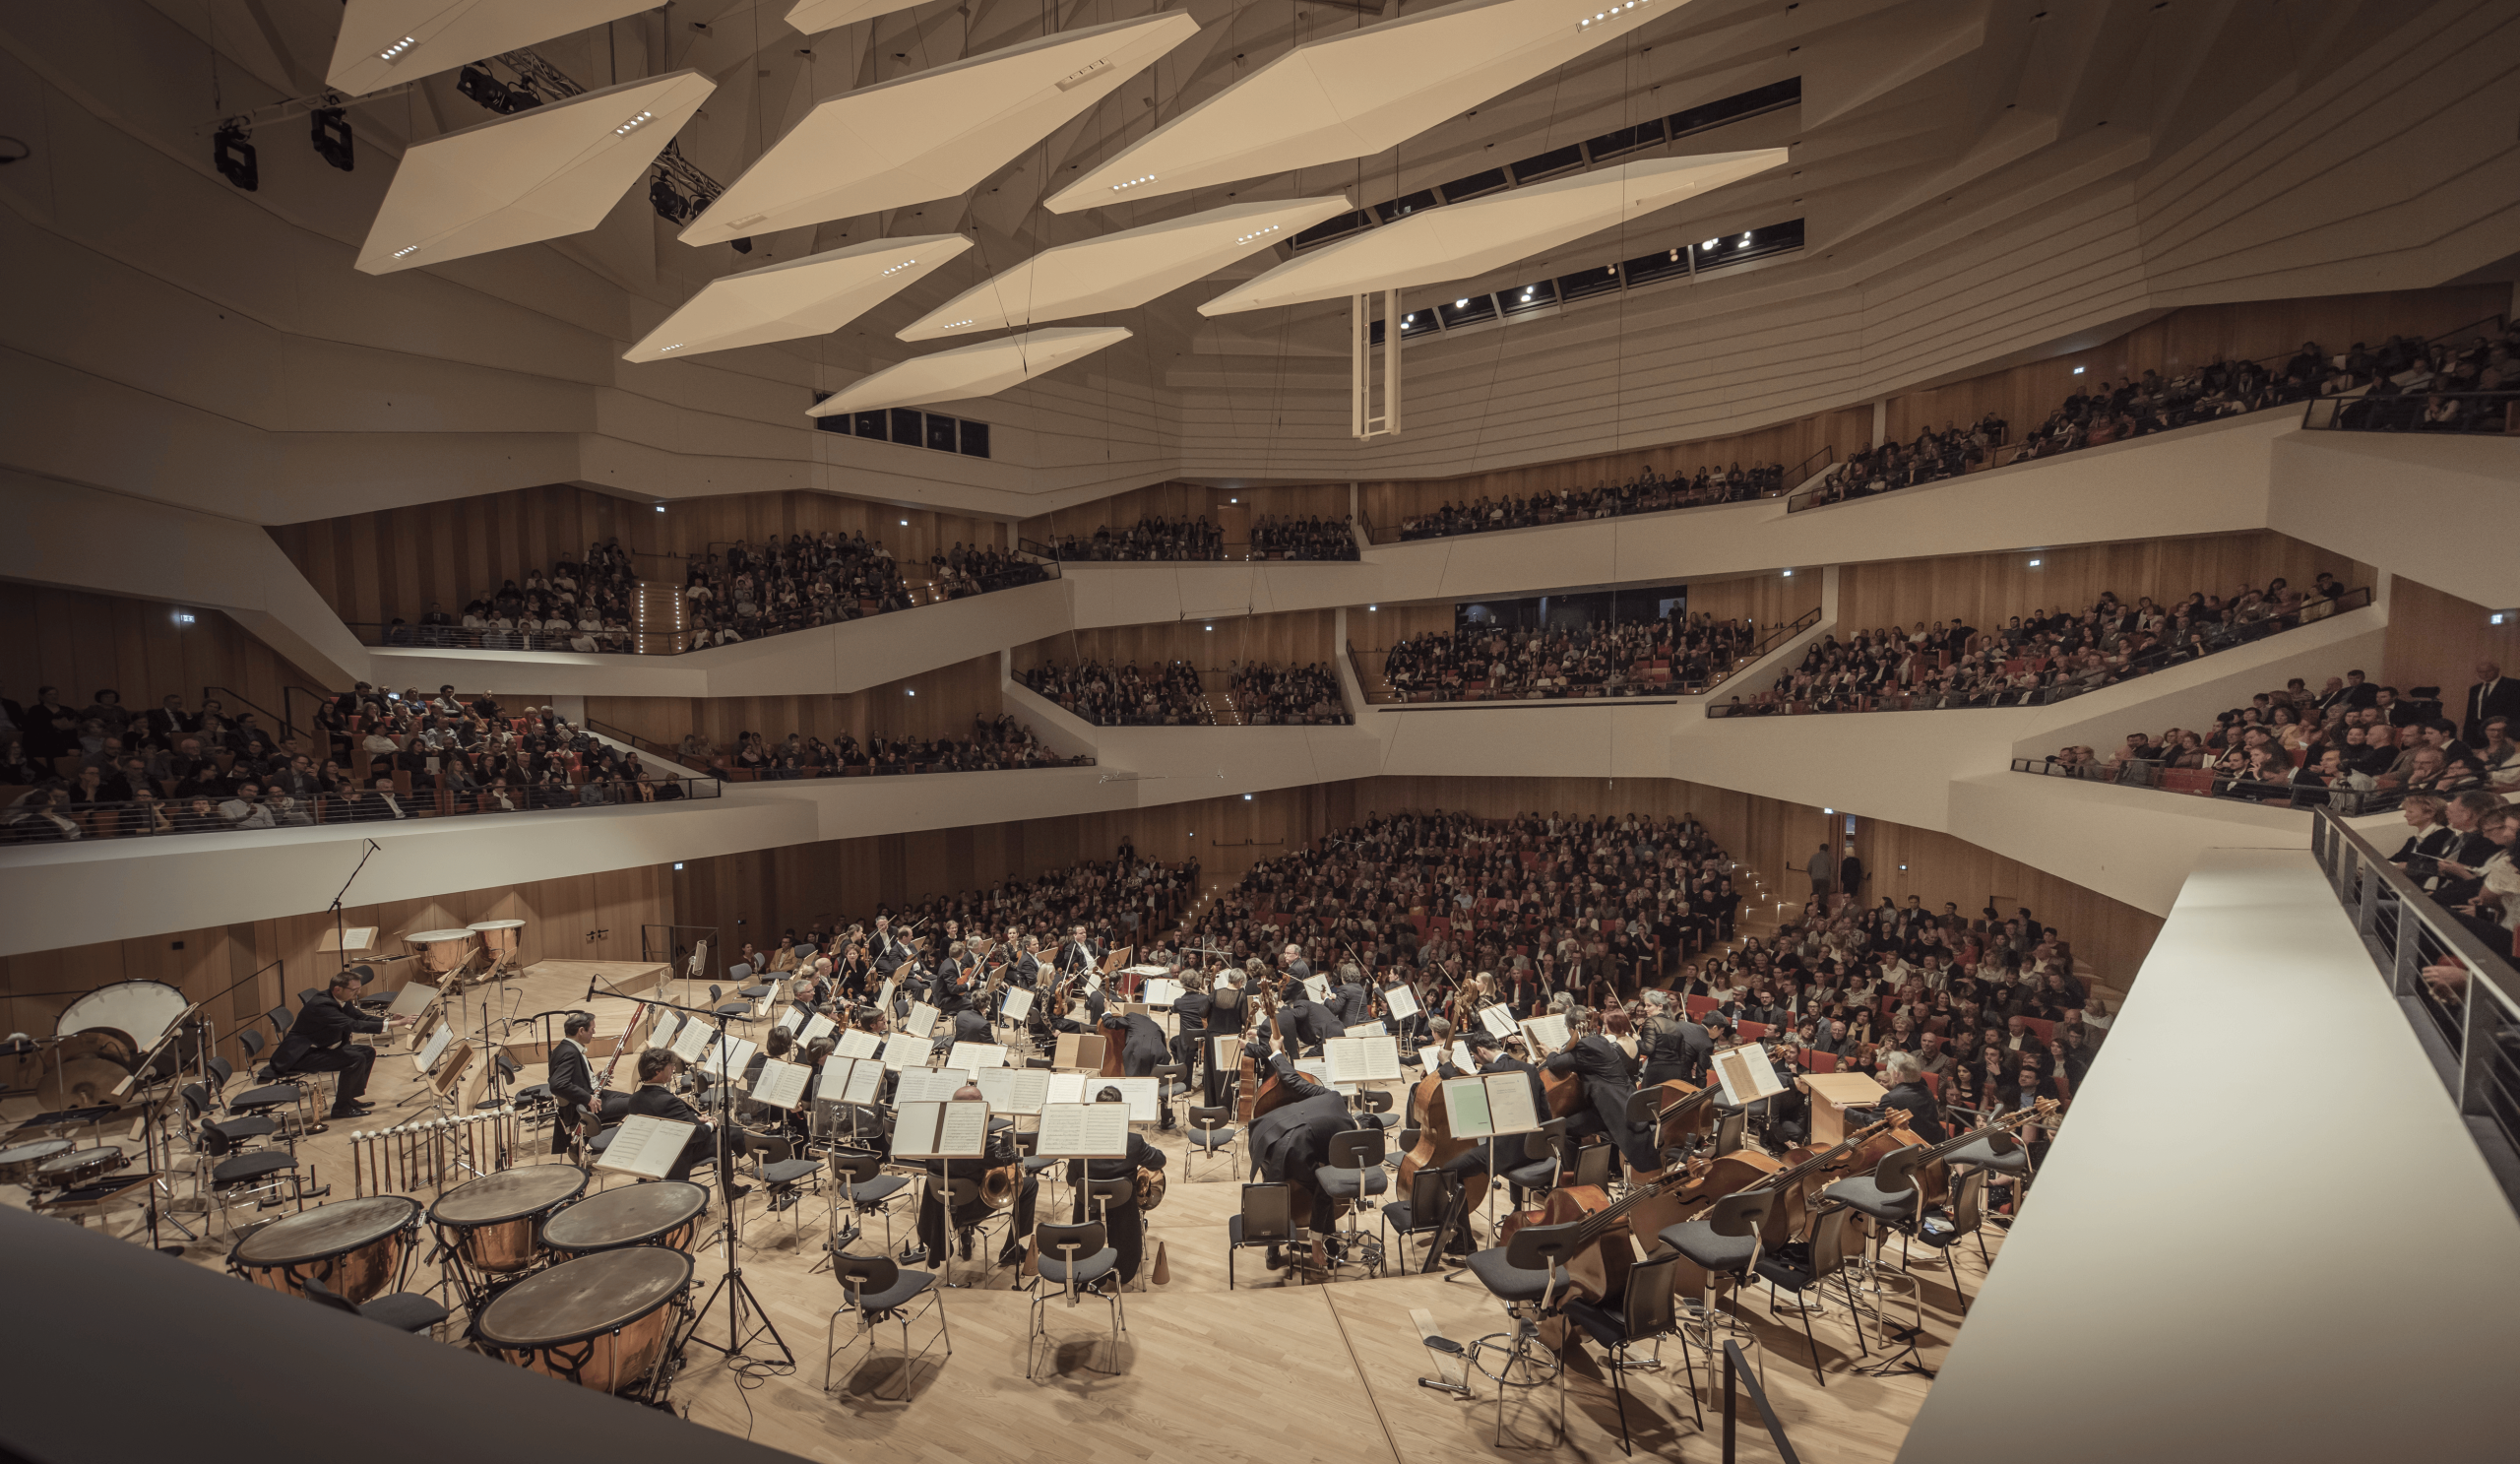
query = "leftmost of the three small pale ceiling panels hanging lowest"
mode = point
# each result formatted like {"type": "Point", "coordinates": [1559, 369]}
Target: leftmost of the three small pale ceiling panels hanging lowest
{"type": "Point", "coordinates": [810, 296]}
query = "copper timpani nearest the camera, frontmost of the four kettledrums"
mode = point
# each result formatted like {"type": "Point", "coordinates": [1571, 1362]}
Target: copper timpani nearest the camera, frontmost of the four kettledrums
{"type": "Point", "coordinates": [598, 1322]}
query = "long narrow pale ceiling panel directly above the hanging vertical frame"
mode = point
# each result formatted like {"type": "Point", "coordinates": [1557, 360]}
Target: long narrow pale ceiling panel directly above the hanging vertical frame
{"type": "Point", "coordinates": [1488, 233]}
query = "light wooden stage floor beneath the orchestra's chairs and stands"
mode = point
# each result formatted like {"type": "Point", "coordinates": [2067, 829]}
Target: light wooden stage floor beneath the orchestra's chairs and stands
{"type": "Point", "coordinates": [1276, 1370]}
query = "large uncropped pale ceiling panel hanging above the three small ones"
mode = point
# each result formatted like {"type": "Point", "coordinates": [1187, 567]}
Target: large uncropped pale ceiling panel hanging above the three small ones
{"type": "Point", "coordinates": [934, 135]}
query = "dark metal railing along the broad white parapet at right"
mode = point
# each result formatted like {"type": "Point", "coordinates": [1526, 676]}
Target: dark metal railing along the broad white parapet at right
{"type": "Point", "coordinates": [2468, 1024]}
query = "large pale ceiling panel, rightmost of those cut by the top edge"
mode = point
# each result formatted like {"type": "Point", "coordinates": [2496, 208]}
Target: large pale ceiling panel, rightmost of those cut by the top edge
{"type": "Point", "coordinates": [1357, 94]}
